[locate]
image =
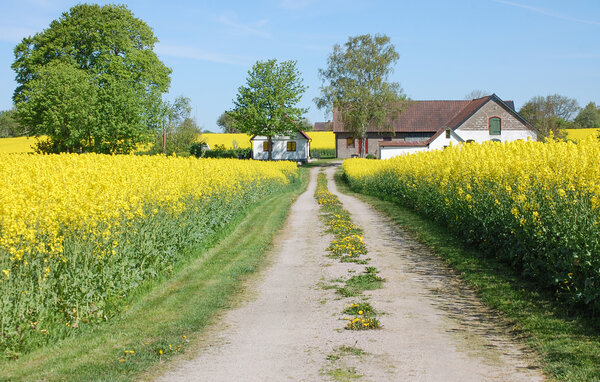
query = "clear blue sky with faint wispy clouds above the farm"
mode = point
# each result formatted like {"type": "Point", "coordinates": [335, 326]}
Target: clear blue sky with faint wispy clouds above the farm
{"type": "Point", "coordinates": [514, 48]}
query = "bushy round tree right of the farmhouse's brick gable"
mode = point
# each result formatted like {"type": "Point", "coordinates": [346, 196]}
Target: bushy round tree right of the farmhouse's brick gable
{"type": "Point", "coordinates": [552, 113]}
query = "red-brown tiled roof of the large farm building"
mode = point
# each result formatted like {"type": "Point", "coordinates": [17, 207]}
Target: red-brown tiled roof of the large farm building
{"type": "Point", "coordinates": [431, 116]}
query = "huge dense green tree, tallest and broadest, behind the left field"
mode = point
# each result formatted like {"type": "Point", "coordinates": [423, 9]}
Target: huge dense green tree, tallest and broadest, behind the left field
{"type": "Point", "coordinates": [91, 81]}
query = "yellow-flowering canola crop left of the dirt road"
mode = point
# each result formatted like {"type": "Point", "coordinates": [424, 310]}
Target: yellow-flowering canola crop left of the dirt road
{"type": "Point", "coordinates": [78, 232]}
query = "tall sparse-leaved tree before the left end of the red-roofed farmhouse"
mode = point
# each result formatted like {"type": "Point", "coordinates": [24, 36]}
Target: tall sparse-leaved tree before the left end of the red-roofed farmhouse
{"type": "Point", "coordinates": [356, 83]}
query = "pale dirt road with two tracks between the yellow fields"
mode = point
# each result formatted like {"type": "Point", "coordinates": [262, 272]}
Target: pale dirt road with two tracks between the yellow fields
{"type": "Point", "coordinates": [290, 326]}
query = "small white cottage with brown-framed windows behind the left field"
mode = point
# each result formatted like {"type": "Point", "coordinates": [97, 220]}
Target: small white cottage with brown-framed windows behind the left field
{"type": "Point", "coordinates": [294, 148]}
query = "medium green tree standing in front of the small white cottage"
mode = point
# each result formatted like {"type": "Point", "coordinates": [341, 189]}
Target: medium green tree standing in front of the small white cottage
{"type": "Point", "coordinates": [266, 106]}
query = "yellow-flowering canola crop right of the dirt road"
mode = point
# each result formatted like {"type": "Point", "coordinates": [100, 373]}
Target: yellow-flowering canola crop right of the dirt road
{"type": "Point", "coordinates": [534, 204]}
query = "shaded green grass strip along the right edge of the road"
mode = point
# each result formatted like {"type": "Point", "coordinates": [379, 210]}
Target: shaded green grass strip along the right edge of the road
{"type": "Point", "coordinates": [569, 345]}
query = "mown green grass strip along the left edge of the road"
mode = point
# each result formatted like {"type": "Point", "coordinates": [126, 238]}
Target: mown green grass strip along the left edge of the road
{"type": "Point", "coordinates": [165, 319]}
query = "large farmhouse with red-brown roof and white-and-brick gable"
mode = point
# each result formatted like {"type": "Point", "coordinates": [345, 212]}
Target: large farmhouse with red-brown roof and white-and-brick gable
{"type": "Point", "coordinates": [430, 125]}
